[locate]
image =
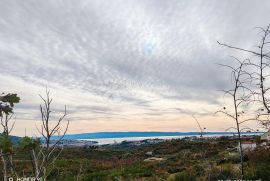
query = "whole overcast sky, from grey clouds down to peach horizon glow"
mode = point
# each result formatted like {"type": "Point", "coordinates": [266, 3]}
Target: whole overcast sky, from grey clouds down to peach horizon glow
{"type": "Point", "coordinates": [124, 65]}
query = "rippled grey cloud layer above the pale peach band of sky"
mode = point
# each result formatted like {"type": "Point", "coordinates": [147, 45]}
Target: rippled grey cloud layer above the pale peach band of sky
{"type": "Point", "coordinates": [167, 48]}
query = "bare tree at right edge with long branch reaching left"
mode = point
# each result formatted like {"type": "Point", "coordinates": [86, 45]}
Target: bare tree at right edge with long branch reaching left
{"type": "Point", "coordinates": [259, 69]}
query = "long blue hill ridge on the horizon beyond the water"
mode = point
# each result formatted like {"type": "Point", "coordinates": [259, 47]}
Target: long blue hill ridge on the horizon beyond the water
{"type": "Point", "coordinates": [140, 134]}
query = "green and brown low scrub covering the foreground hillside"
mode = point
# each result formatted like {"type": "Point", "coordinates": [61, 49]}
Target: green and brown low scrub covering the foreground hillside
{"type": "Point", "coordinates": [183, 159]}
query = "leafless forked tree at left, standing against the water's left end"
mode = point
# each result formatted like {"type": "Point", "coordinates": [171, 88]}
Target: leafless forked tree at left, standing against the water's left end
{"type": "Point", "coordinates": [52, 134]}
